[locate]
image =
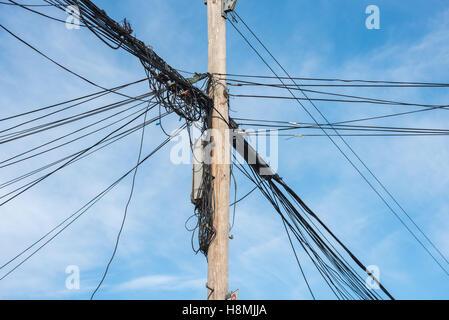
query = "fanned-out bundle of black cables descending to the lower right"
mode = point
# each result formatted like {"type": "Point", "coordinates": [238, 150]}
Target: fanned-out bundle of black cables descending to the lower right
{"type": "Point", "coordinates": [329, 255]}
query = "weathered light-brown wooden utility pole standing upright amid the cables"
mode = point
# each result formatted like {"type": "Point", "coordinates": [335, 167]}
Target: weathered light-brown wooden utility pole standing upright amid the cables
{"type": "Point", "coordinates": [218, 253]}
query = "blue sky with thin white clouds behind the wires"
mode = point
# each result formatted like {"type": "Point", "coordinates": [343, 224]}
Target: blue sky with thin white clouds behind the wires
{"type": "Point", "coordinates": [155, 259]}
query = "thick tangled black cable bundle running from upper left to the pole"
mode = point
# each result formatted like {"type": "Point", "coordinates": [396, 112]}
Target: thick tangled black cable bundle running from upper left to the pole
{"type": "Point", "coordinates": [174, 92]}
